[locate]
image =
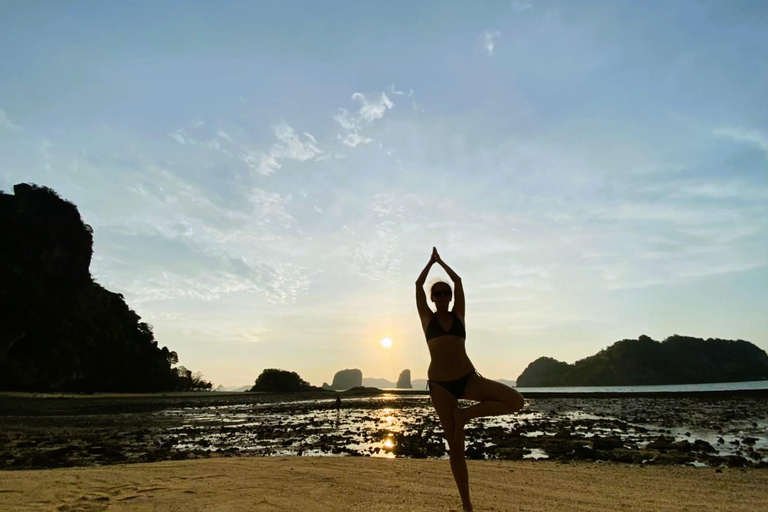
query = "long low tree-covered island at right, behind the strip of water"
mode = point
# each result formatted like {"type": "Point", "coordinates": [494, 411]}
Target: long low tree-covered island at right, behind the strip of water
{"type": "Point", "coordinates": [644, 361]}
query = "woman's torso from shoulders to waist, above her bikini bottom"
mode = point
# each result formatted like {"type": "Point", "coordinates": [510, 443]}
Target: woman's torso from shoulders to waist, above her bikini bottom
{"type": "Point", "coordinates": [447, 350]}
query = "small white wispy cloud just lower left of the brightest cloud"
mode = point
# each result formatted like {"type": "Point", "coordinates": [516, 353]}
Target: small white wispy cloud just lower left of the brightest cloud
{"type": "Point", "coordinates": [288, 146]}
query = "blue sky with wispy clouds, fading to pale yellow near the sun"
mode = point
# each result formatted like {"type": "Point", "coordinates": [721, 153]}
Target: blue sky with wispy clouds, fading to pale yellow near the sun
{"type": "Point", "coordinates": [266, 180]}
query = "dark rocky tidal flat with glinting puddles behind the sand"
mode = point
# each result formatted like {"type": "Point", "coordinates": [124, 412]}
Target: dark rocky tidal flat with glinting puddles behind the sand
{"type": "Point", "coordinates": [59, 432]}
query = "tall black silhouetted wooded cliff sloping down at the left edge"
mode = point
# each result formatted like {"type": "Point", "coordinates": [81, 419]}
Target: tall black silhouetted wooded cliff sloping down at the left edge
{"type": "Point", "coordinates": [61, 331]}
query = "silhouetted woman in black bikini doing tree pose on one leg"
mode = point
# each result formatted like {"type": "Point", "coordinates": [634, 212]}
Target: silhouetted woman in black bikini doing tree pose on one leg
{"type": "Point", "coordinates": [452, 375]}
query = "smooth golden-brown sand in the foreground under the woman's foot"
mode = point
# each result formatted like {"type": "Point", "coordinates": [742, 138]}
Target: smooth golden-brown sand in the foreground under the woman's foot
{"type": "Point", "coordinates": [361, 483]}
